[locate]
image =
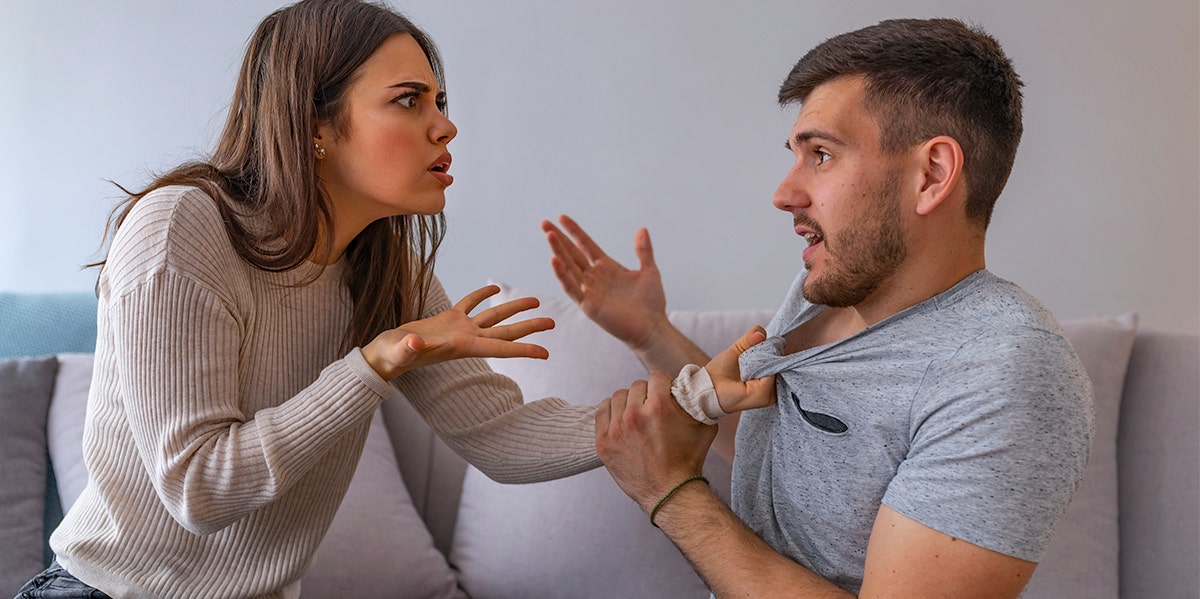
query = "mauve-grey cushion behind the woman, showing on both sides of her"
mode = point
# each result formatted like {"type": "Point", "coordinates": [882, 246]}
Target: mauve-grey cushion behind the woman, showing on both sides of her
{"type": "Point", "coordinates": [376, 548]}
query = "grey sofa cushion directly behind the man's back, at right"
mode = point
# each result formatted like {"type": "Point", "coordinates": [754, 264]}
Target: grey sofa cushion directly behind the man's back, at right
{"type": "Point", "coordinates": [1084, 555]}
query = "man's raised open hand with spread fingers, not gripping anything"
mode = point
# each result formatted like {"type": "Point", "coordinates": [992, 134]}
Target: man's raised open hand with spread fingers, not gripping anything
{"type": "Point", "coordinates": [628, 304]}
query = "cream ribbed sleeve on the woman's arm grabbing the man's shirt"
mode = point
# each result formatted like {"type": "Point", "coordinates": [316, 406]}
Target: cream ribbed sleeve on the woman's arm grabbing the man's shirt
{"type": "Point", "coordinates": [483, 417]}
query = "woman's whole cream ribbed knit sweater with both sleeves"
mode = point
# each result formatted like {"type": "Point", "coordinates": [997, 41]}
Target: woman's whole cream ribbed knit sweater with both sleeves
{"type": "Point", "coordinates": [225, 423]}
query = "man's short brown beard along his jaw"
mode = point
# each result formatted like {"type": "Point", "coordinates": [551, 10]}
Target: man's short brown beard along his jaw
{"type": "Point", "coordinates": [862, 257]}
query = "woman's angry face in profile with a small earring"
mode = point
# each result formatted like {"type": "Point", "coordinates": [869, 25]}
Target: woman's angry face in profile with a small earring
{"type": "Point", "coordinates": [392, 158]}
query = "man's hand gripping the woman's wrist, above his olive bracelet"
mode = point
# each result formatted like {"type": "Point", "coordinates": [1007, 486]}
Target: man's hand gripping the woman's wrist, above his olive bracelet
{"type": "Point", "coordinates": [649, 442]}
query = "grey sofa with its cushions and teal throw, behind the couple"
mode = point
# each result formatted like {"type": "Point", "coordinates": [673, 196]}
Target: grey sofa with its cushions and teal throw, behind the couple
{"type": "Point", "coordinates": [421, 523]}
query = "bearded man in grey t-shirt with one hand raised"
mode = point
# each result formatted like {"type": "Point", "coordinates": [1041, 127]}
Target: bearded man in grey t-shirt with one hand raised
{"type": "Point", "coordinates": [927, 422]}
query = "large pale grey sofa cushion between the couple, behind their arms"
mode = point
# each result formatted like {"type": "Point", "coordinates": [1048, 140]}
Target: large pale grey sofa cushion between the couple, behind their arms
{"type": "Point", "coordinates": [579, 537]}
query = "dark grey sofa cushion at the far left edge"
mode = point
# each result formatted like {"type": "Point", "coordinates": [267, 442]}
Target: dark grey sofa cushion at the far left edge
{"type": "Point", "coordinates": [26, 387]}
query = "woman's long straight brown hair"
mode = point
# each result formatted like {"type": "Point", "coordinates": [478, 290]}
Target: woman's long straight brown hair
{"type": "Point", "coordinates": [298, 67]}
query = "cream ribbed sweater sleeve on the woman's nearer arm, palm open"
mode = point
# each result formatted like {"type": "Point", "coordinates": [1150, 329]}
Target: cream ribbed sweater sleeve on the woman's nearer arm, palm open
{"type": "Point", "coordinates": [177, 337]}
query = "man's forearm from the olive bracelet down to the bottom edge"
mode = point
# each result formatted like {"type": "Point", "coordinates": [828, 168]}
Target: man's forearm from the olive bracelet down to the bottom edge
{"type": "Point", "coordinates": [731, 559]}
